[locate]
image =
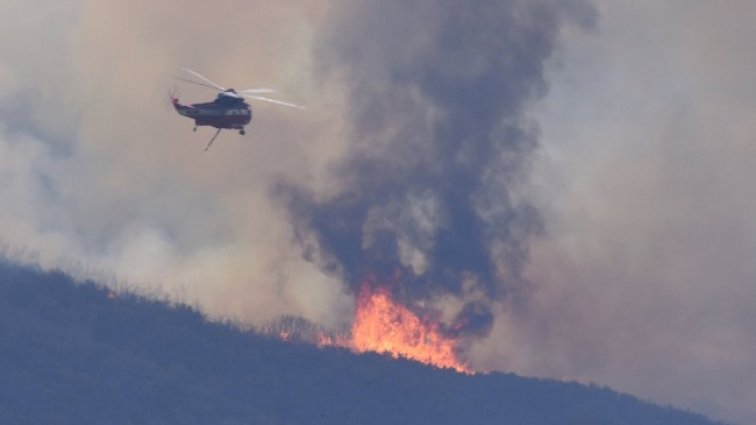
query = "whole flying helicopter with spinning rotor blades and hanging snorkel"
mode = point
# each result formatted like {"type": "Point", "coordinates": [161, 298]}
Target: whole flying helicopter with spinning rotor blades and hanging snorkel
{"type": "Point", "coordinates": [228, 111]}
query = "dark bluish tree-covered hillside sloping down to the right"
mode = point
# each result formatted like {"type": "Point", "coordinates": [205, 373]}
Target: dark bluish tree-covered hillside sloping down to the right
{"type": "Point", "coordinates": [69, 354]}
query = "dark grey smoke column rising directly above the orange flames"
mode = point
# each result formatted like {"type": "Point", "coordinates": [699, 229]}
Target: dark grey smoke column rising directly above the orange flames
{"type": "Point", "coordinates": [436, 95]}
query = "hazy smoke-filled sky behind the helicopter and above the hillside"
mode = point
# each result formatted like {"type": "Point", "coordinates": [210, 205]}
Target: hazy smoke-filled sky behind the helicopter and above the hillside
{"type": "Point", "coordinates": [637, 164]}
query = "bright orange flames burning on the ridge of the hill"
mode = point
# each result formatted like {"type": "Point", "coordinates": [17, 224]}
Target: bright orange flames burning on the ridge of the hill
{"type": "Point", "coordinates": [384, 326]}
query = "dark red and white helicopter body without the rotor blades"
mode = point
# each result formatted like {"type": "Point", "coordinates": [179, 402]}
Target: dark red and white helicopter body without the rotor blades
{"type": "Point", "coordinates": [227, 111]}
